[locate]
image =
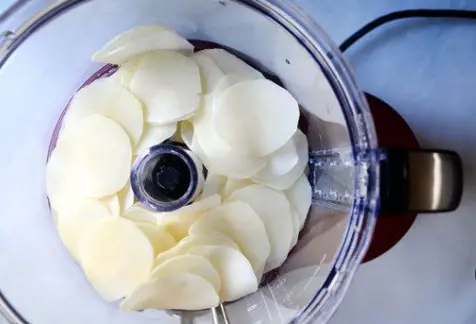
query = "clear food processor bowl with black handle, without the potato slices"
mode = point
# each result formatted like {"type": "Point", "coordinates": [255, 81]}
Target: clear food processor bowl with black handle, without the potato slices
{"type": "Point", "coordinates": [44, 60]}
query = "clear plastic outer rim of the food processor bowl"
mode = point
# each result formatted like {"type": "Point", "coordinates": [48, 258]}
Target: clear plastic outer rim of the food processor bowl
{"type": "Point", "coordinates": [356, 111]}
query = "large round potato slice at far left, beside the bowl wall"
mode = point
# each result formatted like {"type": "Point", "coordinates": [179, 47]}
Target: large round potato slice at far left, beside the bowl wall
{"type": "Point", "coordinates": [94, 155]}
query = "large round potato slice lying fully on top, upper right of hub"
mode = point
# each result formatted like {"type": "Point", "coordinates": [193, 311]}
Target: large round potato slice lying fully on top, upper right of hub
{"type": "Point", "coordinates": [256, 117]}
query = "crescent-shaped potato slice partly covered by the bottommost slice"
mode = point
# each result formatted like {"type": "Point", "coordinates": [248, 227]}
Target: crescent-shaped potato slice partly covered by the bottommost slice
{"type": "Point", "coordinates": [189, 263]}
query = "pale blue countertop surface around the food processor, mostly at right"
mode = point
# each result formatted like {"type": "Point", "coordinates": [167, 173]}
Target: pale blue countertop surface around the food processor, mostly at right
{"type": "Point", "coordinates": [427, 71]}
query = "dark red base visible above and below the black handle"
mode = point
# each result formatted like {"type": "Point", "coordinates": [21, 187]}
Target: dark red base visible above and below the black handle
{"type": "Point", "coordinates": [392, 131]}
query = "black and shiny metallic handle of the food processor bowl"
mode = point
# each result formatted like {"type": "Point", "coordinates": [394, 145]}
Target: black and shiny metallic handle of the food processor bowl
{"type": "Point", "coordinates": [423, 181]}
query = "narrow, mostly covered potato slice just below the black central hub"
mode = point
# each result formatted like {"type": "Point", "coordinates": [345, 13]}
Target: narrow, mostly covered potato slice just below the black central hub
{"type": "Point", "coordinates": [178, 222]}
